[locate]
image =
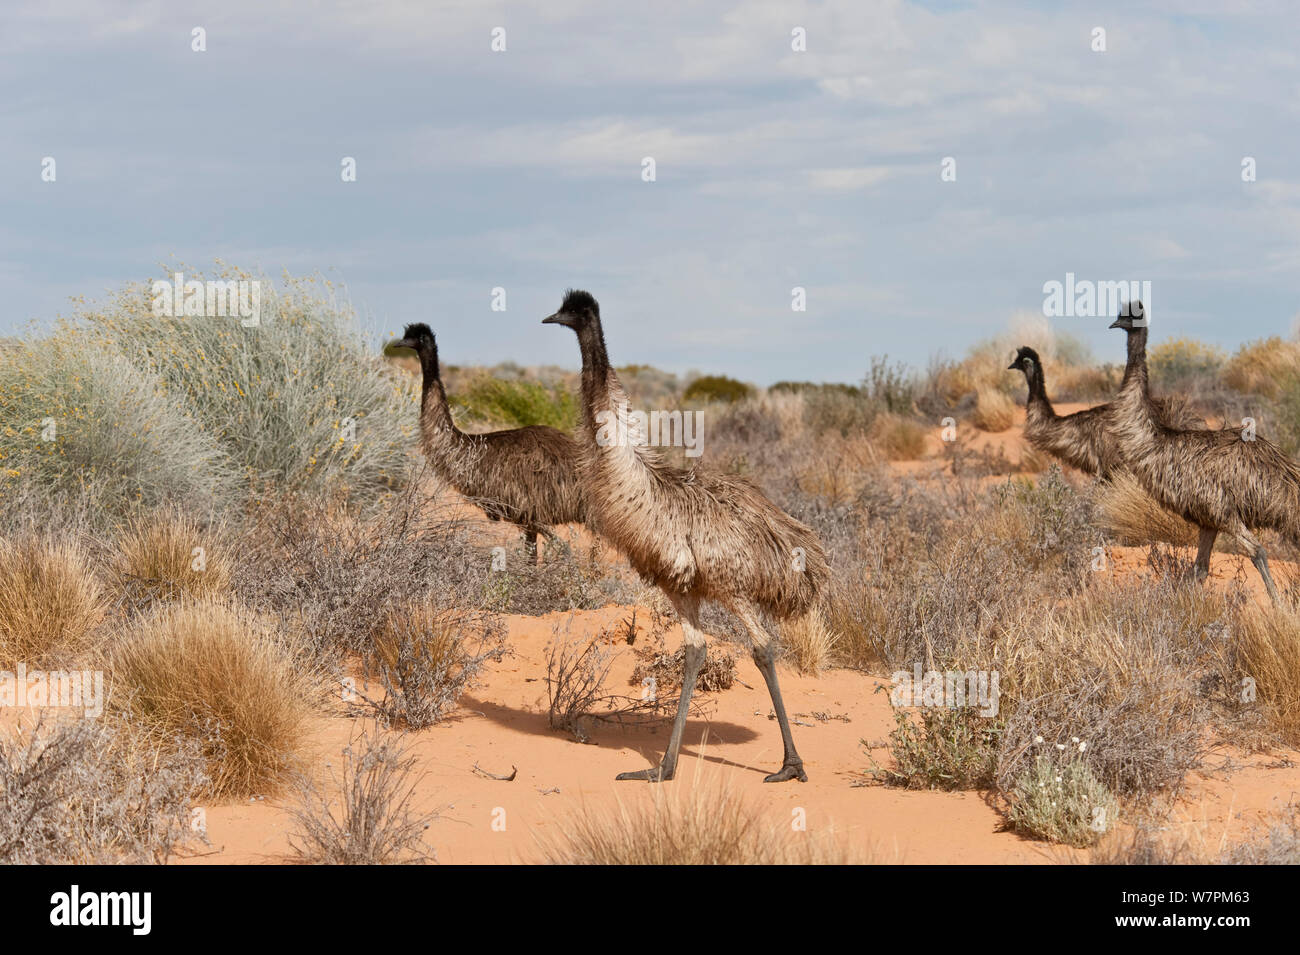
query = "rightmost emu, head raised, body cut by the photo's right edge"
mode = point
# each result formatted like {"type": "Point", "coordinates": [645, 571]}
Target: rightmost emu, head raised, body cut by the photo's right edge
{"type": "Point", "coordinates": [1223, 481]}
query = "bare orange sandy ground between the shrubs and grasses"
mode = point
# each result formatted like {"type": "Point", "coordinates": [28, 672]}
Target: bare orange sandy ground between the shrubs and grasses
{"type": "Point", "coordinates": [842, 723]}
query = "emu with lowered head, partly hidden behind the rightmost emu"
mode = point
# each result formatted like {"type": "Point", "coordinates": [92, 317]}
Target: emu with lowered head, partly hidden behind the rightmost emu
{"type": "Point", "coordinates": [1084, 440]}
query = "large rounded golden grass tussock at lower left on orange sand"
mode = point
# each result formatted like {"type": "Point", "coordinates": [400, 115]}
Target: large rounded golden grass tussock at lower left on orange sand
{"type": "Point", "coordinates": [218, 676]}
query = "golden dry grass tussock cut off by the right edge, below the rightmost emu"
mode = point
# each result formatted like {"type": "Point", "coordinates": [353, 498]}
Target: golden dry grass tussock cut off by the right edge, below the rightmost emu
{"type": "Point", "coordinates": [1268, 648]}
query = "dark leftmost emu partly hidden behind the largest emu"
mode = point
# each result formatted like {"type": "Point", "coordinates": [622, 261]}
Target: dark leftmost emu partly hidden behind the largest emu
{"type": "Point", "coordinates": [527, 476]}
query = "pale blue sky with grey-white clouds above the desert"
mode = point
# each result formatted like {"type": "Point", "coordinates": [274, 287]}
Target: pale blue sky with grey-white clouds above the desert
{"type": "Point", "coordinates": [774, 168]}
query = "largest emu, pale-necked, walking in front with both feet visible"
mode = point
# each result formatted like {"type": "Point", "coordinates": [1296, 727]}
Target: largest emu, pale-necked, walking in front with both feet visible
{"type": "Point", "coordinates": [695, 535]}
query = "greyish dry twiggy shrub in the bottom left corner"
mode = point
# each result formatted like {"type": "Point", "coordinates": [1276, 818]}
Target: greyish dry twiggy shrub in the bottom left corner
{"type": "Point", "coordinates": [94, 792]}
